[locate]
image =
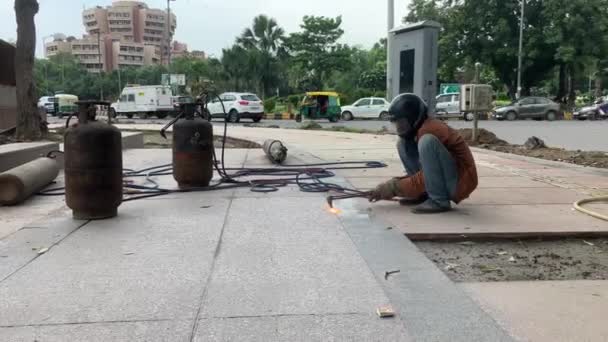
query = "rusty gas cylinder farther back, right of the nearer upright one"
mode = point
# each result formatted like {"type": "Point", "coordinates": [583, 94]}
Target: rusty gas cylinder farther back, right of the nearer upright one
{"type": "Point", "coordinates": [192, 150]}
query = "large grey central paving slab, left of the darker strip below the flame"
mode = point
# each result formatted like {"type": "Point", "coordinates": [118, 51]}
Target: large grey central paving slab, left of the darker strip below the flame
{"type": "Point", "coordinates": [292, 259]}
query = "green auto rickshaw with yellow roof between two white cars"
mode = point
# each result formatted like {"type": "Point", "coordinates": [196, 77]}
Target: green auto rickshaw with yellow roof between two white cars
{"type": "Point", "coordinates": [320, 105]}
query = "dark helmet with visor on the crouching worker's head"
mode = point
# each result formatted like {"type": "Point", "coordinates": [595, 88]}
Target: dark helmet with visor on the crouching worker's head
{"type": "Point", "coordinates": [412, 108]}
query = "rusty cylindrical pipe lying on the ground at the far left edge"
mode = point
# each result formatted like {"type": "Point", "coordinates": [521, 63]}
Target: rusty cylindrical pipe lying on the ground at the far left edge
{"type": "Point", "coordinates": [18, 184]}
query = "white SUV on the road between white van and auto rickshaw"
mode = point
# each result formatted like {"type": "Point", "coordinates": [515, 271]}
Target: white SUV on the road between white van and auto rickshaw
{"type": "Point", "coordinates": [237, 106]}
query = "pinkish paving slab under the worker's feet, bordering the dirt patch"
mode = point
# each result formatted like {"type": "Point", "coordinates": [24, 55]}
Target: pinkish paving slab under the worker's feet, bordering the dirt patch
{"type": "Point", "coordinates": [471, 220]}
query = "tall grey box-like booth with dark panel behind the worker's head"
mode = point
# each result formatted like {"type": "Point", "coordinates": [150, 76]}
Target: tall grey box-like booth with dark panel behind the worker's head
{"type": "Point", "coordinates": [412, 60]}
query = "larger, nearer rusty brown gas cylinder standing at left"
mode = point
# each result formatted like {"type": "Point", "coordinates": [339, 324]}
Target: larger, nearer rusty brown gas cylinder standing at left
{"type": "Point", "coordinates": [93, 165]}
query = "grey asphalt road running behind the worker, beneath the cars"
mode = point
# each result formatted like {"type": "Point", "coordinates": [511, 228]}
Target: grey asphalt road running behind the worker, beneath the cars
{"type": "Point", "coordinates": [571, 135]}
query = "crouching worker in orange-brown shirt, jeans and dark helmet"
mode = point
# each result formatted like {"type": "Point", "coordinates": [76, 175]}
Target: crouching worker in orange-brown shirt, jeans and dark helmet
{"type": "Point", "coordinates": [439, 164]}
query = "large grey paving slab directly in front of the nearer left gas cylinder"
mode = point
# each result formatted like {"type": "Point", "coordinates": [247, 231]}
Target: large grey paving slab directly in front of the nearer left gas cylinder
{"type": "Point", "coordinates": [151, 262]}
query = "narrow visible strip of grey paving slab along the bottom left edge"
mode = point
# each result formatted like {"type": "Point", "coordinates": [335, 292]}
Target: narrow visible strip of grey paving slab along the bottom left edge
{"type": "Point", "coordinates": [144, 331]}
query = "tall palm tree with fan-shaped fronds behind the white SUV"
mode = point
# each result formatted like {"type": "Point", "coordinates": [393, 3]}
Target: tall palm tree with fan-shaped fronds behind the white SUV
{"type": "Point", "coordinates": [264, 40]}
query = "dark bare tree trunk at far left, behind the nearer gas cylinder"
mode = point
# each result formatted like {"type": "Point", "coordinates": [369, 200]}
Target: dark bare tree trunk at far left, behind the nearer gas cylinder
{"type": "Point", "coordinates": [28, 118]}
